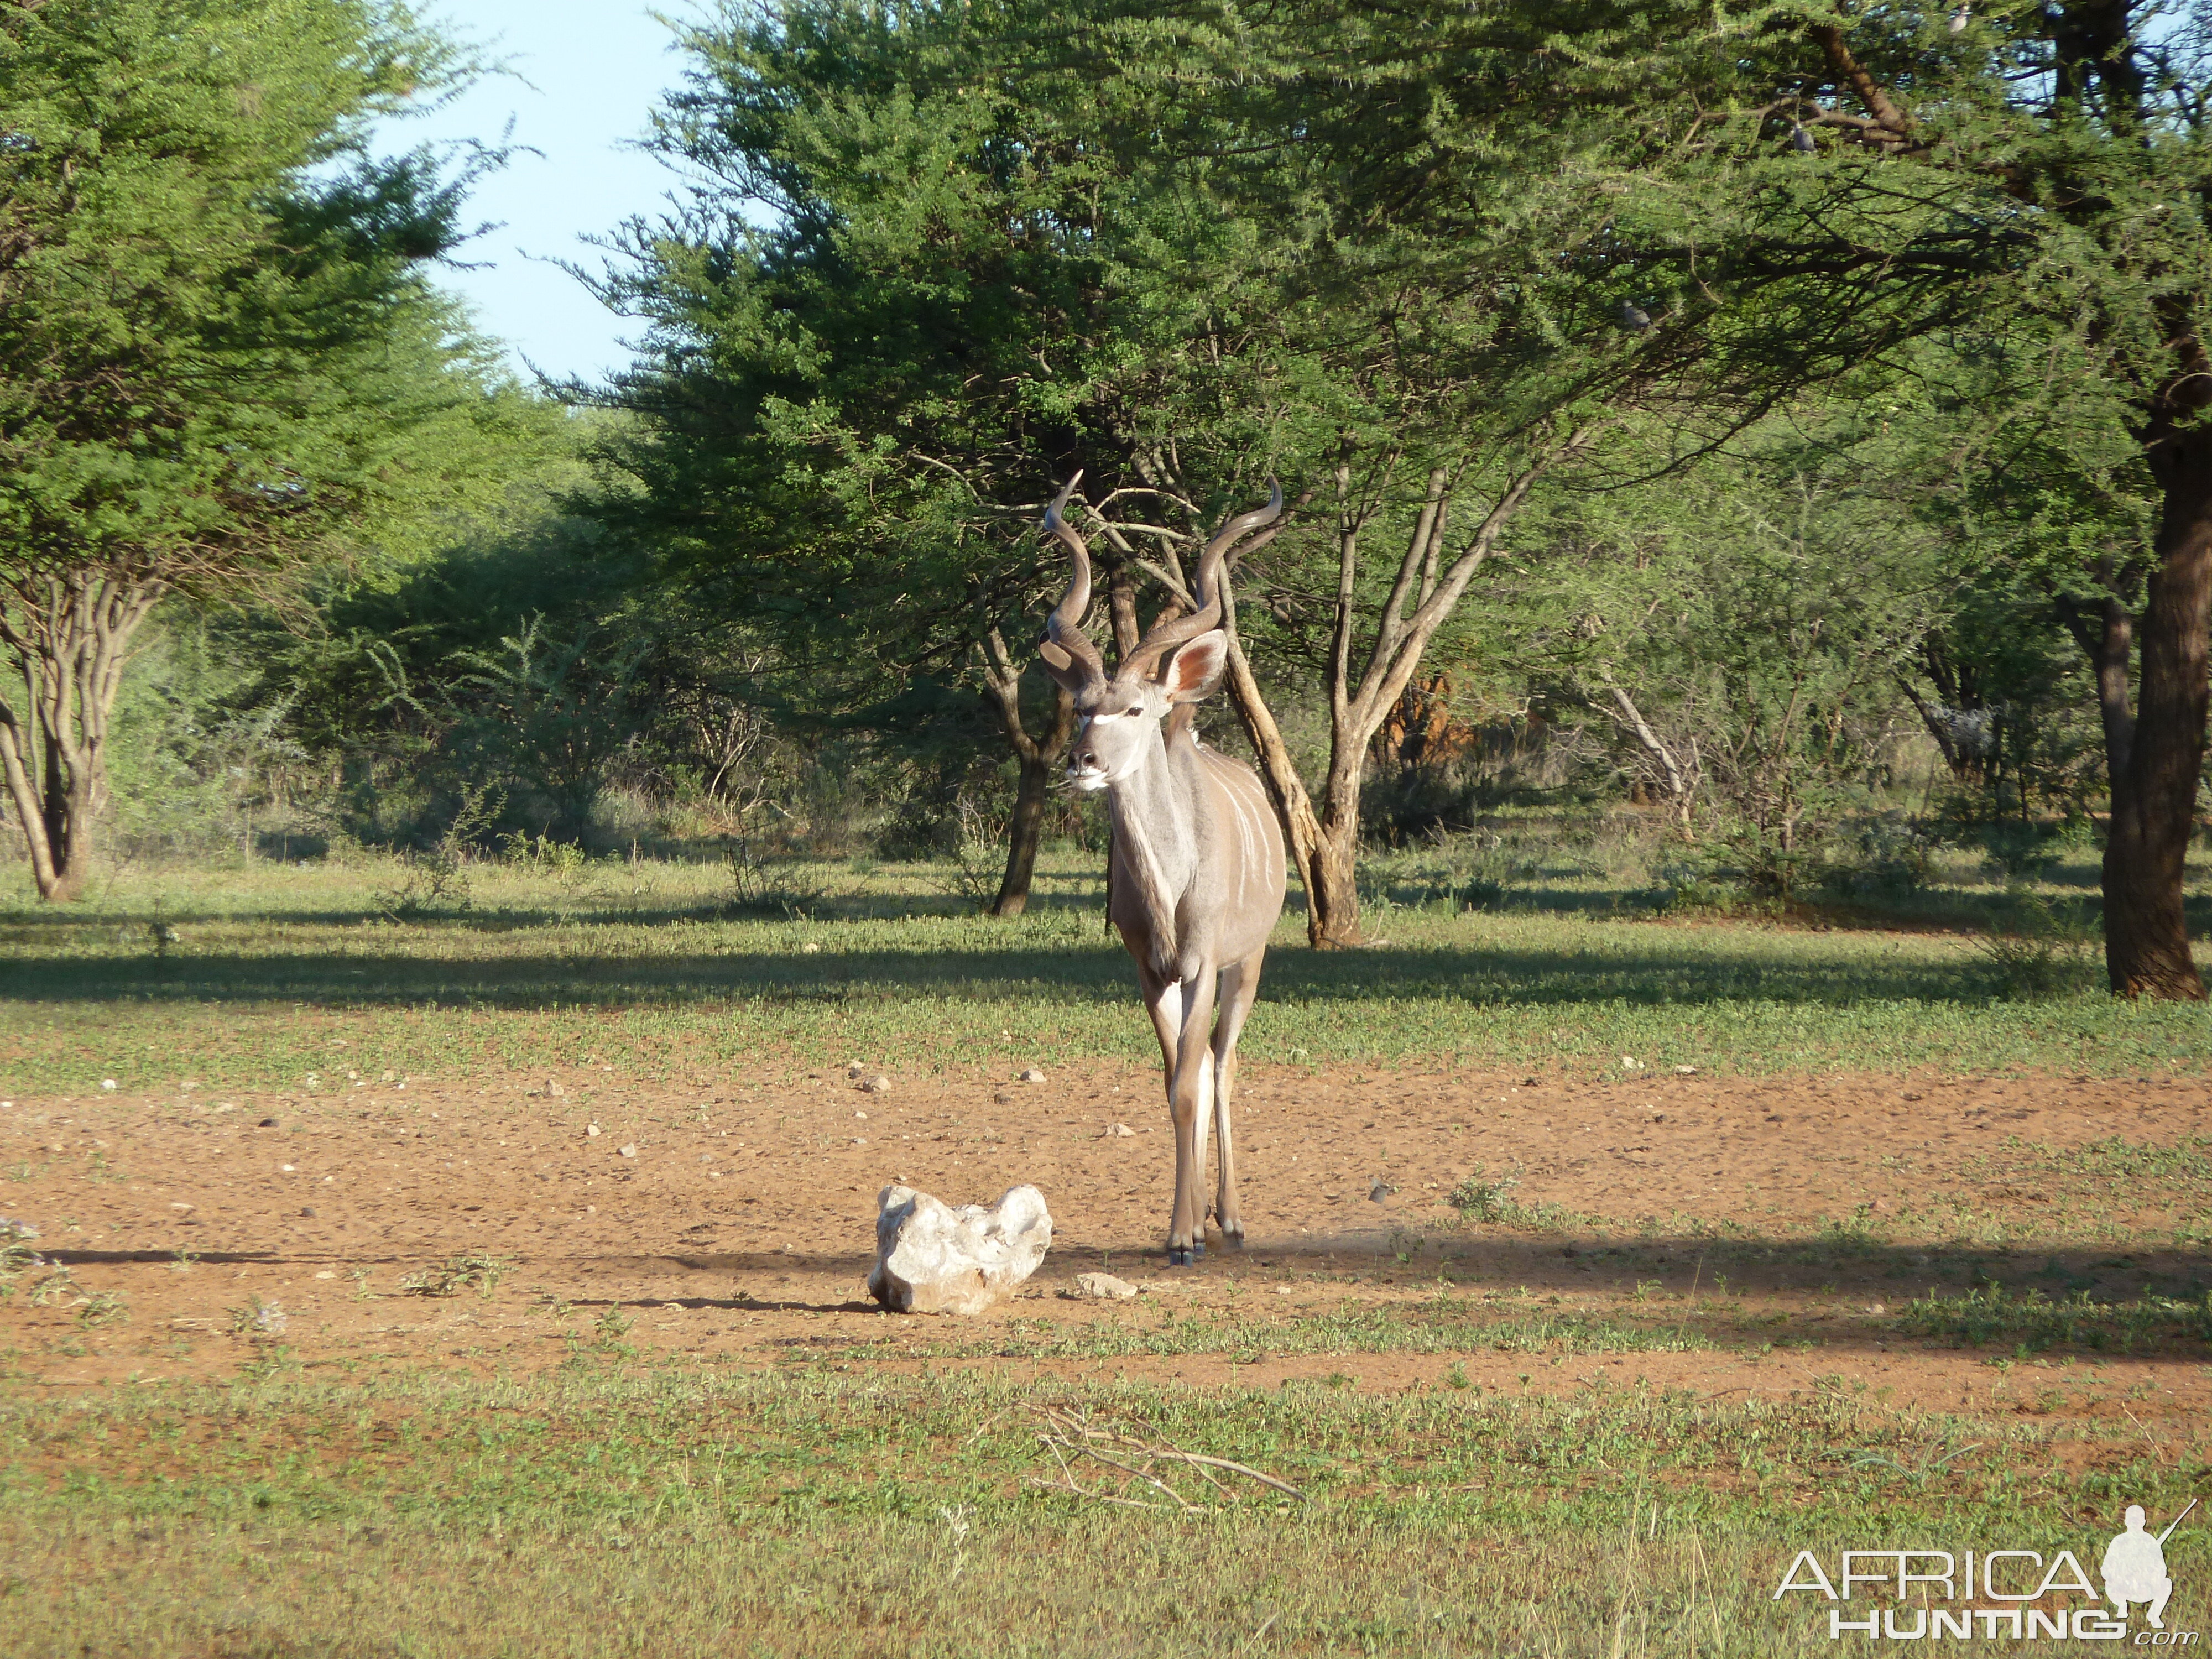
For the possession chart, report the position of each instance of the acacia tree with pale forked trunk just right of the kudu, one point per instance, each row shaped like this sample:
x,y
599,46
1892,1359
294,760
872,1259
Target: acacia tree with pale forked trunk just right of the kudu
x,y
1415,377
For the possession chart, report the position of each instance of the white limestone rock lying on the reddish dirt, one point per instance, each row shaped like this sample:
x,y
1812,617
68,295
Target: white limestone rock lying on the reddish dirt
x,y
935,1260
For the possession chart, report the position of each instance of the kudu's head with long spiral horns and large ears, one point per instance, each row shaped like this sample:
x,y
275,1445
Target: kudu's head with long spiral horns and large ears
x,y
1178,662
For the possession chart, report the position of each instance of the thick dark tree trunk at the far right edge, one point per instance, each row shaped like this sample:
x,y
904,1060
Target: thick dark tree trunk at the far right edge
x,y
2147,939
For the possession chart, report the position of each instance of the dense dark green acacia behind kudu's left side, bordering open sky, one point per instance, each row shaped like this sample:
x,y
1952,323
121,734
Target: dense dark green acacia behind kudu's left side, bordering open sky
x,y
855,415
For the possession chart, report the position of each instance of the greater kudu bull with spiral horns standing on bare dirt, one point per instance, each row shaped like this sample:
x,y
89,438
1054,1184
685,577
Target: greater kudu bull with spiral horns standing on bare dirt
x,y
1198,862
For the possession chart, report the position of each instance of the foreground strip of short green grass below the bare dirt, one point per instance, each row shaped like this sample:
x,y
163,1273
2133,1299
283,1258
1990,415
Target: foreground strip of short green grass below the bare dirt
x,y
671,1512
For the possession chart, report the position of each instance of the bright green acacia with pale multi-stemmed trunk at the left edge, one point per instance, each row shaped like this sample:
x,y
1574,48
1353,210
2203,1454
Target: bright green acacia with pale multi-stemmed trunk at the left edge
x,y
216,348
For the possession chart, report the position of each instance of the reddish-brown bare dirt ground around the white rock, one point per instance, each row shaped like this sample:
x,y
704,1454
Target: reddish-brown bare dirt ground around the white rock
x,y
735,1220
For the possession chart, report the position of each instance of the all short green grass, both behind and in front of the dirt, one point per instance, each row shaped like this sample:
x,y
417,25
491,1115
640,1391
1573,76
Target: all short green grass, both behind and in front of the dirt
x,y
842,1496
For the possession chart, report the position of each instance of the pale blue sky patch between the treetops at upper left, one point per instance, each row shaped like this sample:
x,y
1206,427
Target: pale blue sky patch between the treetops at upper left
x,y
585,76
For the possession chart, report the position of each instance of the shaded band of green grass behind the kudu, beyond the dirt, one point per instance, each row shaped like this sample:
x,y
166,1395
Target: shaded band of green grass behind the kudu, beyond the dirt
x,y
647,966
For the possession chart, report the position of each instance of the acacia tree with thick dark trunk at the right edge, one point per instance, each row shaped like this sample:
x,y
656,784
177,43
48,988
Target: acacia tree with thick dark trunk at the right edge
x,y
2078,134
